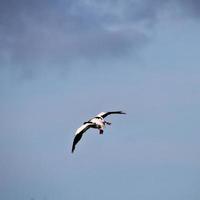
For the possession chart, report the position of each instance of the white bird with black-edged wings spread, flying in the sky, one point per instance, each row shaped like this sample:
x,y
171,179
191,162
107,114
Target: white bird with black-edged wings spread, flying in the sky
x,y
97,122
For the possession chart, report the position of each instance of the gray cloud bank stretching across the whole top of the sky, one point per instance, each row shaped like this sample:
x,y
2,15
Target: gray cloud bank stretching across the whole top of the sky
x,y
42,31
